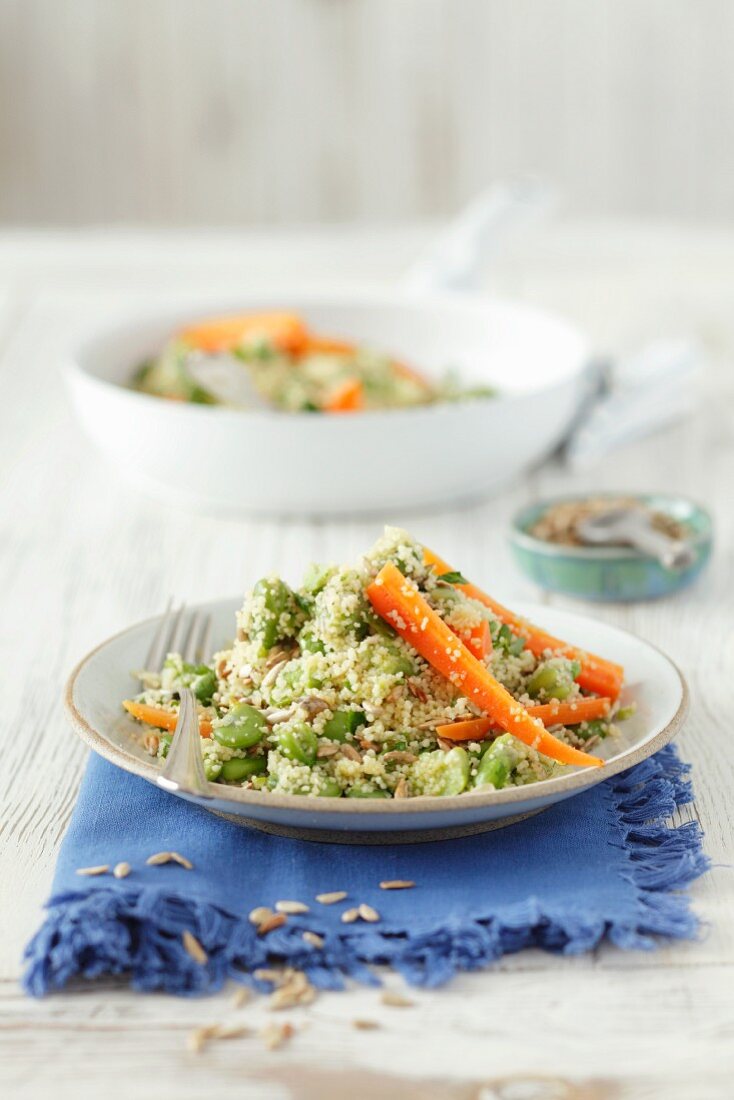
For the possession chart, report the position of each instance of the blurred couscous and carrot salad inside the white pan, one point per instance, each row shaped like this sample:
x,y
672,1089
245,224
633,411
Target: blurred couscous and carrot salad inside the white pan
x,y
282,364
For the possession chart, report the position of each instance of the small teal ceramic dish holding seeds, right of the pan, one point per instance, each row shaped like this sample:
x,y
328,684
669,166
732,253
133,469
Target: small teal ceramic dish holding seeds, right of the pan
x,y
610,574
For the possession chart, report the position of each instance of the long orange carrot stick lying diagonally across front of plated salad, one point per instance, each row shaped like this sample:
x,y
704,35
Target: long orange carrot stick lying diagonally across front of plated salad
x,y
399,602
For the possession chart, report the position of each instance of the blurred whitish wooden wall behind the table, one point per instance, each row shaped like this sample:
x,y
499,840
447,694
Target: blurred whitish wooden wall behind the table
x,y
242,112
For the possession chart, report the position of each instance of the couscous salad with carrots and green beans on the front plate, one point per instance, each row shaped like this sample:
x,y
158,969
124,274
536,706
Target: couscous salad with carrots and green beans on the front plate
x,y
391,678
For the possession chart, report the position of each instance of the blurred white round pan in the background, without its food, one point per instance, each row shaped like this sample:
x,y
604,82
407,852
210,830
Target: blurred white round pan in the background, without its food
x,y
278,464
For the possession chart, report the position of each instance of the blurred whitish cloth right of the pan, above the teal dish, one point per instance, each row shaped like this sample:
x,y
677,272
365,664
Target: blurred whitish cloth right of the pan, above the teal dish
x,y
634,397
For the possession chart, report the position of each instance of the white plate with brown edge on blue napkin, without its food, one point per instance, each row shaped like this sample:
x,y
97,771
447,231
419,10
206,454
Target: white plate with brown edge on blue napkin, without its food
x,y
103,679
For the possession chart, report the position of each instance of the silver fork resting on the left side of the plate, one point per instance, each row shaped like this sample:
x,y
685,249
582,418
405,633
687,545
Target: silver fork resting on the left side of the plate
x,y
189,635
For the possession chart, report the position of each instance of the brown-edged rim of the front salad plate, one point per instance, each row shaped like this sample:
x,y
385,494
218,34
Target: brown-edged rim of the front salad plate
x,y
421,805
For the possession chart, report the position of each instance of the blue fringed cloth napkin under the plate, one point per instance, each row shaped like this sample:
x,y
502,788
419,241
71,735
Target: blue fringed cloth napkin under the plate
x,y
600,865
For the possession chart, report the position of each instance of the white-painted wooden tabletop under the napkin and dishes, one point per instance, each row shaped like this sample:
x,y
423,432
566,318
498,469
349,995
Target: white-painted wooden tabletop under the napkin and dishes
x,y
81,556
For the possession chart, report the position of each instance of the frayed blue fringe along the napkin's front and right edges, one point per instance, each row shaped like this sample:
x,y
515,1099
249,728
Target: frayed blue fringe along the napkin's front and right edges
x,y
140,932
